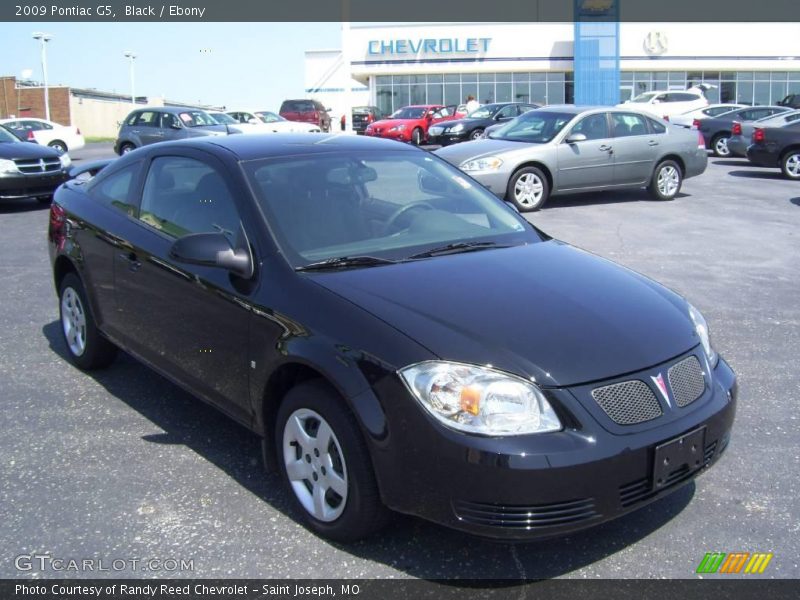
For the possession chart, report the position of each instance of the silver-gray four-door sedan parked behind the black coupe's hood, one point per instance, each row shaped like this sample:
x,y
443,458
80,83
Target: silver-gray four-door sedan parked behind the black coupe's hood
x,y
566,149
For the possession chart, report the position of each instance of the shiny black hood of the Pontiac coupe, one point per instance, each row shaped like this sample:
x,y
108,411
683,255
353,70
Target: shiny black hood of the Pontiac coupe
x,y
545,310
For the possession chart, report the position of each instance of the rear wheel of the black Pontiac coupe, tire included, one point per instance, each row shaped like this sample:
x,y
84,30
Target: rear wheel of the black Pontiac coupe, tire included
x,y
86,347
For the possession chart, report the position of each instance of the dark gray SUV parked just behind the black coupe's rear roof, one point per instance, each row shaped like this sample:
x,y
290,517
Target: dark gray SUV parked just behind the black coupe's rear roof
x,y
150,125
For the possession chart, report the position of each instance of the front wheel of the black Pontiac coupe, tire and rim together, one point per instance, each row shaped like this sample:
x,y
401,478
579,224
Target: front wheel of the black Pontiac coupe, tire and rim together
x,y
325,464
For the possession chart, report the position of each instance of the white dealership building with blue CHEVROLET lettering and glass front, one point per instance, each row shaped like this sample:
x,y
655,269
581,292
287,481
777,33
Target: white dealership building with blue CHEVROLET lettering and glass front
x,y
391,66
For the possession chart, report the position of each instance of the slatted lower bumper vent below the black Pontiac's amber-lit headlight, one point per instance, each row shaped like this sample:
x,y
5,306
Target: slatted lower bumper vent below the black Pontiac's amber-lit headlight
x,y
525,517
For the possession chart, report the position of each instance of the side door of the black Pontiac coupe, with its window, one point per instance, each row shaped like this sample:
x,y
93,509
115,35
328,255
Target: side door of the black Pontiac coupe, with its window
x,y
190,321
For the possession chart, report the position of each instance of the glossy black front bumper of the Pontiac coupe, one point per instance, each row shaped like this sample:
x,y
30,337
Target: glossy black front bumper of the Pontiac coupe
x,y
548,484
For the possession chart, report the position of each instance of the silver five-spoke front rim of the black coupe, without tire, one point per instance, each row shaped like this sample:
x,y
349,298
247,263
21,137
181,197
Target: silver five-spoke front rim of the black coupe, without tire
x,y
315,465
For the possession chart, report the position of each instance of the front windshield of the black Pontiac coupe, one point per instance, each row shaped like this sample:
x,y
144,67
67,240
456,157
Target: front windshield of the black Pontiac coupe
x,y
387,205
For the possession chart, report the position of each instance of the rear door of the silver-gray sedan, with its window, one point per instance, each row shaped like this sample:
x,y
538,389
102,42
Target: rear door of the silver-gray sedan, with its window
x,y
635,148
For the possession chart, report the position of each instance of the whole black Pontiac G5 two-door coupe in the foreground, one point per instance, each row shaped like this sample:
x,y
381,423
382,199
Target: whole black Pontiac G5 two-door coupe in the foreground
x,y
398,336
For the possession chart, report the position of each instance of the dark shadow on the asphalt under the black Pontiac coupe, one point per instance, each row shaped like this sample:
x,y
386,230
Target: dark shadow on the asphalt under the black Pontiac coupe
x,y
415,547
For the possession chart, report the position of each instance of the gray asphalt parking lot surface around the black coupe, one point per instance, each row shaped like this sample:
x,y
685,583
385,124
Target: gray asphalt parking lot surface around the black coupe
x,y
122,464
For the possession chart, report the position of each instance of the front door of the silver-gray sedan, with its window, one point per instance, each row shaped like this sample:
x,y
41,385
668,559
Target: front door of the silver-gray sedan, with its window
x,y
590,163
